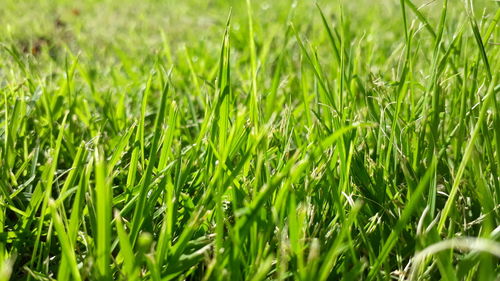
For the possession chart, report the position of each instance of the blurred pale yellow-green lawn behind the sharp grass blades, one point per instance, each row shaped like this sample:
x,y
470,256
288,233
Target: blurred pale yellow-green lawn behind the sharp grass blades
x,y
130,33
